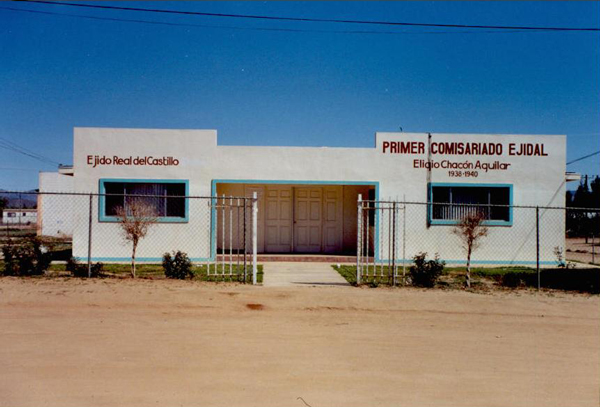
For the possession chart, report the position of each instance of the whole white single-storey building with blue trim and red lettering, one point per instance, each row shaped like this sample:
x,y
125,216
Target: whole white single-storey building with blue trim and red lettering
x,y
308,195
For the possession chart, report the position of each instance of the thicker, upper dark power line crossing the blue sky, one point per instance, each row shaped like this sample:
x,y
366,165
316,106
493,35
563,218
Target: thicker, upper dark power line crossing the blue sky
x,y
316,20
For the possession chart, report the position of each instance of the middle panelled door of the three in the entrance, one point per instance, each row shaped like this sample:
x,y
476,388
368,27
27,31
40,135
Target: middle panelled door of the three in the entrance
x,y
308,219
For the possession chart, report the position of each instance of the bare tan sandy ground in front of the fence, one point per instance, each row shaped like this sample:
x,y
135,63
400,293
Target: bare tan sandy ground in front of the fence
x,y
170,343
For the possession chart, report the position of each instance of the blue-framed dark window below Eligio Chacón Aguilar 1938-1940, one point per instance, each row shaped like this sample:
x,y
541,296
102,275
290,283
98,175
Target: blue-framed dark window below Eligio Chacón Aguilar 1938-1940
x,y
452,202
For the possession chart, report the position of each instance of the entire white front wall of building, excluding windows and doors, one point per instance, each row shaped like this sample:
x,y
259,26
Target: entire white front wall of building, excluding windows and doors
x,y
535,180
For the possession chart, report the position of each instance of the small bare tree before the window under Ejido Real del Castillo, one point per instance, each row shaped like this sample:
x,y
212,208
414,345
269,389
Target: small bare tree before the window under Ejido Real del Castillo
x,y
135,220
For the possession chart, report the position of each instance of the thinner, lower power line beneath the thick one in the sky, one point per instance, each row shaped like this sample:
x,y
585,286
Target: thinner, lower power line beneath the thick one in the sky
x,y
257,28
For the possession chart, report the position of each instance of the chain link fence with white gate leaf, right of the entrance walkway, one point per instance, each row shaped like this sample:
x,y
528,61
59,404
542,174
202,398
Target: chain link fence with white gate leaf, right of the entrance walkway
x,y
391,233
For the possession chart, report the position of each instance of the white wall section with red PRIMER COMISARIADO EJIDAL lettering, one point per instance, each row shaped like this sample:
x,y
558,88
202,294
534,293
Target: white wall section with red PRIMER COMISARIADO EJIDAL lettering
x,y
535,181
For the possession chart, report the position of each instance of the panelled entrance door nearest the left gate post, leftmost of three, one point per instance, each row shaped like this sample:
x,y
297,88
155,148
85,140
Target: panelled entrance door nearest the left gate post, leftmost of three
x,y
278,219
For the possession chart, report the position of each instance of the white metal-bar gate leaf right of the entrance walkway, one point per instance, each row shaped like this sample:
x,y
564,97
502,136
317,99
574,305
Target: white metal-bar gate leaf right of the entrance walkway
x,y
381,246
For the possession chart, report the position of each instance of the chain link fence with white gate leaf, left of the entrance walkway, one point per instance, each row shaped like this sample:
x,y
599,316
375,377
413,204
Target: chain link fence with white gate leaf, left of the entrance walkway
x,y
216,232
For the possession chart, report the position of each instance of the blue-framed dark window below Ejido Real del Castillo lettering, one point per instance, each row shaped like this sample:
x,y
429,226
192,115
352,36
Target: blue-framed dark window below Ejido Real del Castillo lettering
x,y
167,198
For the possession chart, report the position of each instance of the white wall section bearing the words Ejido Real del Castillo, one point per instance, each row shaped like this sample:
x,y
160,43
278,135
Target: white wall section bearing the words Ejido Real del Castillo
x,y
191,147
